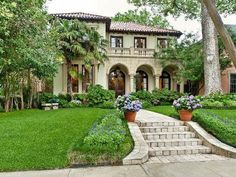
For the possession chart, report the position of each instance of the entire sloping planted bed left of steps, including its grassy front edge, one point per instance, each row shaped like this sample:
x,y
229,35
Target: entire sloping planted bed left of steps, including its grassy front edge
x,y
108,142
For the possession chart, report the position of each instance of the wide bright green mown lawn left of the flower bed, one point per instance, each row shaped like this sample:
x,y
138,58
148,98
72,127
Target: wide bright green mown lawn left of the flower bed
x,y
36,139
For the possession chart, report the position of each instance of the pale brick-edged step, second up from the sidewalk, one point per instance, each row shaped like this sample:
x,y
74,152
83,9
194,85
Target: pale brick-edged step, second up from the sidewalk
x,y
174,142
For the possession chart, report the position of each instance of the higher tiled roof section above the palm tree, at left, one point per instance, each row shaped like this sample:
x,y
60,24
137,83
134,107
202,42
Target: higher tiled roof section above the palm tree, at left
x,y
82,16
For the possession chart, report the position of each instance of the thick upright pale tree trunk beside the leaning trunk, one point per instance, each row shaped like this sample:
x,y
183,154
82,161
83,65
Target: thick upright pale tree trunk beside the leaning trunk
x,y
211,54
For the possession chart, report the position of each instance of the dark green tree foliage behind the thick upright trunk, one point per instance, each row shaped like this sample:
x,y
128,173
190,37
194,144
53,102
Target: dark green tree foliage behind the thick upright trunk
x,y
189,53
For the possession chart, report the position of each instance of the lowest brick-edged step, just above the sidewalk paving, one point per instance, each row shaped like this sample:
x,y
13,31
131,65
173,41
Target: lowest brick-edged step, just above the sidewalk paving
x,y
180,150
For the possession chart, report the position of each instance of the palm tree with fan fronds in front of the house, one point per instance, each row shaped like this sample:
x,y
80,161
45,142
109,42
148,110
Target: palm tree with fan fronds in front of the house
x,y
78,41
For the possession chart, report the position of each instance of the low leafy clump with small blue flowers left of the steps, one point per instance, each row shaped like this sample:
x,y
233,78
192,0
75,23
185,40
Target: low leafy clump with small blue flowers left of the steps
x,y
107,135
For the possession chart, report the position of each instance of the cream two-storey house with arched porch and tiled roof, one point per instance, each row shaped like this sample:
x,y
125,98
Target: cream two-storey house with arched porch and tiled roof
x,y
131,65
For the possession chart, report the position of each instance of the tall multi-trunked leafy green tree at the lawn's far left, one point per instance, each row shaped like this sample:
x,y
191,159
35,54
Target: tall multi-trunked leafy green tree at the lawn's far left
x,y
27,49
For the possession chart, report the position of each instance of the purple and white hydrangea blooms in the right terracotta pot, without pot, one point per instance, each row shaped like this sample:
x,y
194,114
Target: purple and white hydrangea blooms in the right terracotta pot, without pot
x,y
187,103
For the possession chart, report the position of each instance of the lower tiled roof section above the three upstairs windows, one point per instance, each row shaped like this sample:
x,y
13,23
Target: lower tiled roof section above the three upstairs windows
x,y
137,28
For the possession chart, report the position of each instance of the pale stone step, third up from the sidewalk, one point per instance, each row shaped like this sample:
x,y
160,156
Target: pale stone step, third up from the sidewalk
x,y
168,135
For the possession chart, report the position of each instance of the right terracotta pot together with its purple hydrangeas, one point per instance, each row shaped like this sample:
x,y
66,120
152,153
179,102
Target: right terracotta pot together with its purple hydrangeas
x,y
185,106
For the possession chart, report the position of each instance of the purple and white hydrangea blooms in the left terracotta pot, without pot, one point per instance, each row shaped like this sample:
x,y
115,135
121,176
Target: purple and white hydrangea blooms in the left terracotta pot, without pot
x,y
127,103
